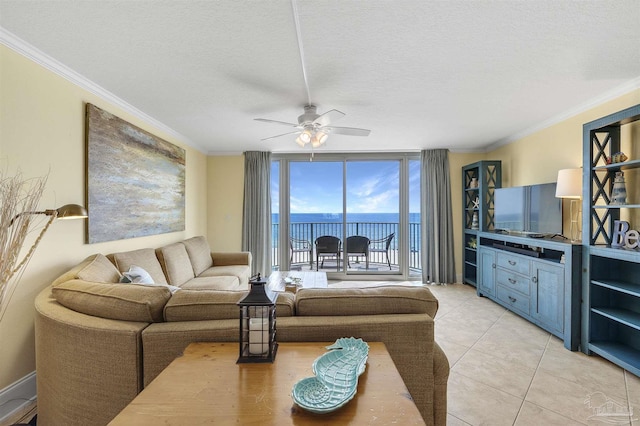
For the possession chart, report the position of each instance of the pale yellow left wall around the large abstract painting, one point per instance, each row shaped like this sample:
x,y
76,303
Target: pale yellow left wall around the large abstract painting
x,y
42,130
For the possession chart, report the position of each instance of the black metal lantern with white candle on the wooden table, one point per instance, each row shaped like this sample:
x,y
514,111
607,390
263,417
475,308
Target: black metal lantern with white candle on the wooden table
x,y
258,323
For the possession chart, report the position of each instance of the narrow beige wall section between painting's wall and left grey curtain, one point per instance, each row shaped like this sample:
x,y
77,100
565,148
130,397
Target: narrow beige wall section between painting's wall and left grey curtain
x,y
225,206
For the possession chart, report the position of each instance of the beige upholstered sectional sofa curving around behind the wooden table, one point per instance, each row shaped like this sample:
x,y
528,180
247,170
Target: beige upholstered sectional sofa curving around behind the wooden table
x,y
99,342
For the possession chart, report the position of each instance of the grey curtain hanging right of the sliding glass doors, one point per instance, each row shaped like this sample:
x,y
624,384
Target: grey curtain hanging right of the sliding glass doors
x,y
438,260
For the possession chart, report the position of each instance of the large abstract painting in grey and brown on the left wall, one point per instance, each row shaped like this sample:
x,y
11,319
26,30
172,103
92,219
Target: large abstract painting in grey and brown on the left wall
x,y
135,180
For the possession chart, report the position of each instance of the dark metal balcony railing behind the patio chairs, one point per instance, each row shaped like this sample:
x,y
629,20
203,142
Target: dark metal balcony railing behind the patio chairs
x,y
309,231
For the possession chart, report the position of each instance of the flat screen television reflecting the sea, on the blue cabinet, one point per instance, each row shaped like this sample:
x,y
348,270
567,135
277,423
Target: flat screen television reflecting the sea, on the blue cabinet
x,y
531,210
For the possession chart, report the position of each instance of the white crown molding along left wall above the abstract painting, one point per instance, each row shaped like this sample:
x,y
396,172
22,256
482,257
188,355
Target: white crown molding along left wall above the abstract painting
x,y
30,52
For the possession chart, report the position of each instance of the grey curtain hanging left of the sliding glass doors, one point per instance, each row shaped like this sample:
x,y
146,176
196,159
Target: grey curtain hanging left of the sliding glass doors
x,y
256,223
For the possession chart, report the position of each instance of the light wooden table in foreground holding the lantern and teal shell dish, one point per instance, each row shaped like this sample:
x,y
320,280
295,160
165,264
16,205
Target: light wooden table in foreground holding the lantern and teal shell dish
x,y
206,386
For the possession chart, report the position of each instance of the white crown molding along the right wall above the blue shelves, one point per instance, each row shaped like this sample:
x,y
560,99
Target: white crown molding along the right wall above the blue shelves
x,y
616,92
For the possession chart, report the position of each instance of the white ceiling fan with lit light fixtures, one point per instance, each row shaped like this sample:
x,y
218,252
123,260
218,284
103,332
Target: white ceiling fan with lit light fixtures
x,y
314,128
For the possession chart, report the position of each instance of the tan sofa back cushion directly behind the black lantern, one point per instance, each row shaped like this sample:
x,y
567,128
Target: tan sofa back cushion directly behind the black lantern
x,y
200,305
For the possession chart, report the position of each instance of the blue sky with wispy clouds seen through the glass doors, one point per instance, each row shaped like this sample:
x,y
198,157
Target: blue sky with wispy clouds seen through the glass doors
x,y
372,186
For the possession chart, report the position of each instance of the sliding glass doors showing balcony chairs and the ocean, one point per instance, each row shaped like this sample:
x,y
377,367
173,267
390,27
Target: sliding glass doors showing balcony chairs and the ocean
x,y
344,215
